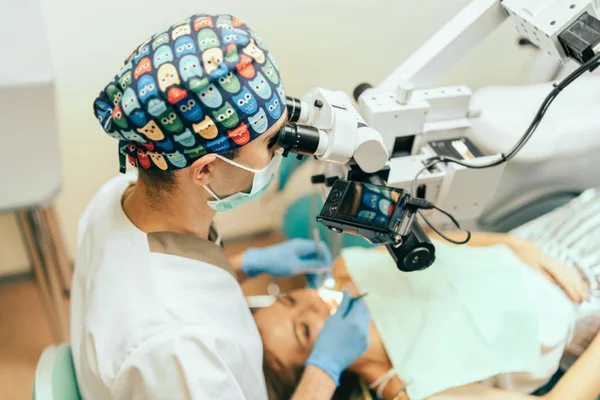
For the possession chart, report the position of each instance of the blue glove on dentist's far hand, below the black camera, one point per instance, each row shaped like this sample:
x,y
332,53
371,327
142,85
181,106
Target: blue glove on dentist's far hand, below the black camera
x,y
294,257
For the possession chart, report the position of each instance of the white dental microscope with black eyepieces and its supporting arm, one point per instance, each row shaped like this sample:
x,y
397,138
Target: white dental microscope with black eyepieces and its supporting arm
x,y
415,137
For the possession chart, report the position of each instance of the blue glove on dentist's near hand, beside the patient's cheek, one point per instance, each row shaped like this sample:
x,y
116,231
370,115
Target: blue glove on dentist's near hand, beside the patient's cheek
x,y
343,339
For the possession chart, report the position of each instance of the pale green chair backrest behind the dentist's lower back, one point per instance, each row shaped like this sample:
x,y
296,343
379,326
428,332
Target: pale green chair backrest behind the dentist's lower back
x,y
55,375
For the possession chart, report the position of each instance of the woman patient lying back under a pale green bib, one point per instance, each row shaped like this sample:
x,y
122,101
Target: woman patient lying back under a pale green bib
x,y
491,321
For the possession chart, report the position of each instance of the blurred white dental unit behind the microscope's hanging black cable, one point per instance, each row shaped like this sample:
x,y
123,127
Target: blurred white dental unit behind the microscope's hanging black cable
x,y
560,160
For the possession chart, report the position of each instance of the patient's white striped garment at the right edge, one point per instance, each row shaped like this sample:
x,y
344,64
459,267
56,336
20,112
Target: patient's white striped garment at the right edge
x,y
572,235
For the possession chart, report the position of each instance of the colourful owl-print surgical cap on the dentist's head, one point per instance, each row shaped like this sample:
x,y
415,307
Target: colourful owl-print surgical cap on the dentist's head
x,y
205,85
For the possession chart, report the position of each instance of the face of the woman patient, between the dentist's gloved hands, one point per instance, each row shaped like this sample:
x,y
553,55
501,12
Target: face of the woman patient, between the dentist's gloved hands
x,y
290,327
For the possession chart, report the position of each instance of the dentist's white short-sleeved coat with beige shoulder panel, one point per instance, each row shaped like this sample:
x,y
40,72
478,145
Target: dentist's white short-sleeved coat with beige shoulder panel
x,y
151,320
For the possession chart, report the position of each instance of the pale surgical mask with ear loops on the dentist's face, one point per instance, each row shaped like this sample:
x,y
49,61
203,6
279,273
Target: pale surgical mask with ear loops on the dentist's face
x,y
260,183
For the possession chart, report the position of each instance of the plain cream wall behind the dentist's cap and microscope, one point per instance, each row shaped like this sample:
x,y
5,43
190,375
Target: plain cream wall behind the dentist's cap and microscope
x,y
336,44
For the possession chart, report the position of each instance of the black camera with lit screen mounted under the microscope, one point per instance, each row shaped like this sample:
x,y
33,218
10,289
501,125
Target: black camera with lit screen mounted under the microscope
x,y
382,215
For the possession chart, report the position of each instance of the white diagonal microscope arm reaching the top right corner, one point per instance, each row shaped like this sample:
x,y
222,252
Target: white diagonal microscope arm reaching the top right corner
x,y
540,21
